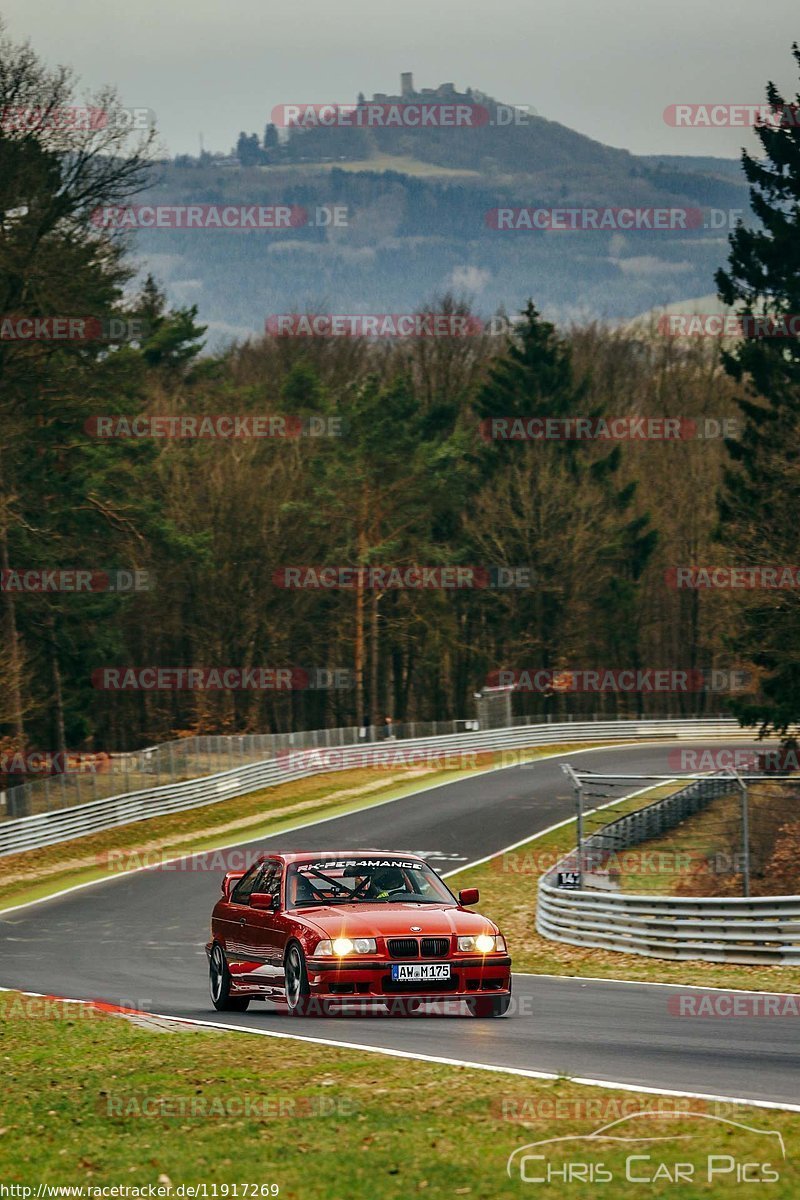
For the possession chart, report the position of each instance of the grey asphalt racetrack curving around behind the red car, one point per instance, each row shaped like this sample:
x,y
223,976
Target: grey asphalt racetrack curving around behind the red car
x,y
139,940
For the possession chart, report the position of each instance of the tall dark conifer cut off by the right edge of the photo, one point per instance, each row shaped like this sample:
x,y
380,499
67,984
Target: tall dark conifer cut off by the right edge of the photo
x,y
761,495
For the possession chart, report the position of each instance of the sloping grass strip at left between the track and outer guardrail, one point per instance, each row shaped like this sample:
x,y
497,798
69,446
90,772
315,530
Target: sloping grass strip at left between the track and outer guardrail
x,y
40,873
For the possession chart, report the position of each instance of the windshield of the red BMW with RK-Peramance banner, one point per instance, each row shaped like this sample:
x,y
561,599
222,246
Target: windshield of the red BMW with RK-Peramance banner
x,y
365,881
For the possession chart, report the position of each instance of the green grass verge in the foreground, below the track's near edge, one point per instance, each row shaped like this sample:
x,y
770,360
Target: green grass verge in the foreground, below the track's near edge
x,y
95,1101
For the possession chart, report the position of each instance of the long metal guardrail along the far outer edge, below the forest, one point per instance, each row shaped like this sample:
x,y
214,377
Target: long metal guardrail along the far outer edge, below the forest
x,y
45,829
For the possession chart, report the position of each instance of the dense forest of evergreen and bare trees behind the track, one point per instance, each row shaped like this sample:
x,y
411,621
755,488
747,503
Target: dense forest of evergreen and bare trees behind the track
x,y
410,481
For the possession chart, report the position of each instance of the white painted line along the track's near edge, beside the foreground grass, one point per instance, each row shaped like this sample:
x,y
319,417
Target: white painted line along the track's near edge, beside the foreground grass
x,y
525,1072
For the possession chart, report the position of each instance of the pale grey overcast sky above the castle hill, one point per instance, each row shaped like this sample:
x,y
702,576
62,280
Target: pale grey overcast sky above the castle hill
x,y
605,68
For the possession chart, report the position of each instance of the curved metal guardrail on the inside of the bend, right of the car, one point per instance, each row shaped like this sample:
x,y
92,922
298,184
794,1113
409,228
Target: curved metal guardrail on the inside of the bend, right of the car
x,y
753,931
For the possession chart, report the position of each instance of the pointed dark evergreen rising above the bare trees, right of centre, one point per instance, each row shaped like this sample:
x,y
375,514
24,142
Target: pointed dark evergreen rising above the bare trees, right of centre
x,y
554,490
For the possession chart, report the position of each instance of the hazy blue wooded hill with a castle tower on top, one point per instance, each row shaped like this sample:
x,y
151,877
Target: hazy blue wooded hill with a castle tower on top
x,y
418,205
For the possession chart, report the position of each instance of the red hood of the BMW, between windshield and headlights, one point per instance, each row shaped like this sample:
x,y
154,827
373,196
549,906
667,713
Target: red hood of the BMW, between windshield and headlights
x,y
394,921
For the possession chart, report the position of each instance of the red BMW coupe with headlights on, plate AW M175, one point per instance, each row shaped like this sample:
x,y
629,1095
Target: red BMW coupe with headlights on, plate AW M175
x,y
322,931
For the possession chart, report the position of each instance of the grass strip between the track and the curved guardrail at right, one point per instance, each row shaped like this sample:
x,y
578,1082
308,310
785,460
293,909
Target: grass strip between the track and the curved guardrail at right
x,y
509,885
